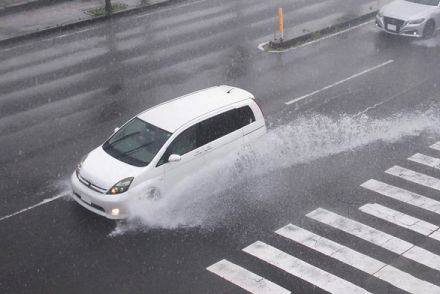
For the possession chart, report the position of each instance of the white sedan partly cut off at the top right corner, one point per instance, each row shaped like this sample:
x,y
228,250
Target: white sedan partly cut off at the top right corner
x,y
415,18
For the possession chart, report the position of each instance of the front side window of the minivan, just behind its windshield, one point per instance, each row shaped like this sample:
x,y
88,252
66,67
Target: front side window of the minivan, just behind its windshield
x,y
184,143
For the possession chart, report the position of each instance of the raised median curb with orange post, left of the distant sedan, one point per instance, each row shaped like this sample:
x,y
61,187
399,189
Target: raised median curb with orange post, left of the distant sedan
x,y
286,44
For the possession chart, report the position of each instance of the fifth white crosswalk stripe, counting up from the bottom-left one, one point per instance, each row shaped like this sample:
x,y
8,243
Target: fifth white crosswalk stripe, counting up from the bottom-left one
x,y
401,219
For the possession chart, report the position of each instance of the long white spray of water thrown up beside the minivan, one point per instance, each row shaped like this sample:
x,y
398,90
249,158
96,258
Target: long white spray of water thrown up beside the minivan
x,y
193,201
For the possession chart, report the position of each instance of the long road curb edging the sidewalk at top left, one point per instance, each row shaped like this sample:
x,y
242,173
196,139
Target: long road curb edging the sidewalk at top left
x,y
85,22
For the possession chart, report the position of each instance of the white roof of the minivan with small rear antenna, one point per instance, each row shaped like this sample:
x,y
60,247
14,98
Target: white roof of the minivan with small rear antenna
x,y
175,113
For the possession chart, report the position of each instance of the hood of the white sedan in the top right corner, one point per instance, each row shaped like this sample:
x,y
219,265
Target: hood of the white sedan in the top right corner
x,y
405,10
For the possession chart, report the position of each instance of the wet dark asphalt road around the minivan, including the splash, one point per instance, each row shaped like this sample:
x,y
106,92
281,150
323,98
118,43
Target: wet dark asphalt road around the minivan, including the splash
x,y
61,96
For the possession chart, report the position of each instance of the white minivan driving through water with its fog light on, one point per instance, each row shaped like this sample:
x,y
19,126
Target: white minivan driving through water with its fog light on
x,y
158,147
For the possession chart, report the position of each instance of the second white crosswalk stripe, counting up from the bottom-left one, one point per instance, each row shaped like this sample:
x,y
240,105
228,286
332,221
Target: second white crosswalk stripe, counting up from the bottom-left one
x,y
302,270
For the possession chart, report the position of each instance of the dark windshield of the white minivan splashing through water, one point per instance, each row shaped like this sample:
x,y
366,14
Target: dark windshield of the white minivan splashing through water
x,y
136,143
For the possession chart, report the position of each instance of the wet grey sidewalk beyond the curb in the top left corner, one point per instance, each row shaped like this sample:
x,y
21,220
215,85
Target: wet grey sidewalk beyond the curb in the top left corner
x,y
26,22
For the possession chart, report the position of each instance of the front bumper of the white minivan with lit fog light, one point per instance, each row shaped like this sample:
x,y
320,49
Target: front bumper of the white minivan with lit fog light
x,y
99,203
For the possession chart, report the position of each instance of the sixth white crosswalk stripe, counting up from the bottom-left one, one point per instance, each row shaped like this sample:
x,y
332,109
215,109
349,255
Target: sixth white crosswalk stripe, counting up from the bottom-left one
x,y
403,195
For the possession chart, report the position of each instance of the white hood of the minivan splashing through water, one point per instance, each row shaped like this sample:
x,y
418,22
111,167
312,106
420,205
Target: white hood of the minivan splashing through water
x,y
104,171
